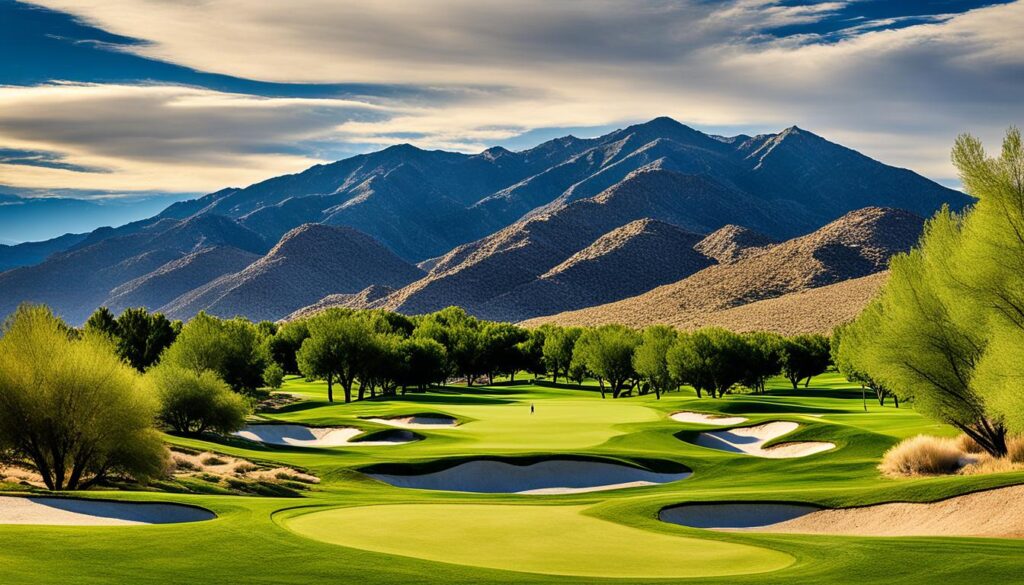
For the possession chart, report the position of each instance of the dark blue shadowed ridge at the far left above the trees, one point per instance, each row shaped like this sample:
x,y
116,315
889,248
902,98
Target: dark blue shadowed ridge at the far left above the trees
x,y
75,282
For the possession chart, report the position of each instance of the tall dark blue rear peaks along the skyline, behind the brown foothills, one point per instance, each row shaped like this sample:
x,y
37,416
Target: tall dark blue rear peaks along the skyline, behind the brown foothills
x,y
421,204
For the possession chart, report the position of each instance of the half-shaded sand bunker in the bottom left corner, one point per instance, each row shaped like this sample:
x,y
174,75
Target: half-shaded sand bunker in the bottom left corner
x,y
66,512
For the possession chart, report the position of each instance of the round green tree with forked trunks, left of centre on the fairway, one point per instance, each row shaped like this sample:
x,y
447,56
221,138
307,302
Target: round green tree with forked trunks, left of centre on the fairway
x,y
335,351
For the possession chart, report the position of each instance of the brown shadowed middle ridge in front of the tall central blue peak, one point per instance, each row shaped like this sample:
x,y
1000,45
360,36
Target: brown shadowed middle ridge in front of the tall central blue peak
x,y
475,276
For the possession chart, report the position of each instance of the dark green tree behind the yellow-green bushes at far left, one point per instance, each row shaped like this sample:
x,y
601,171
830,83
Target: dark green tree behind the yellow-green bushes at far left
x,y
140,337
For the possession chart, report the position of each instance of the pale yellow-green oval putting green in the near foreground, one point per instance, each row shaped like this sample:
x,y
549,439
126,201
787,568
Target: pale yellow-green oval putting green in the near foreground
x,y
552,540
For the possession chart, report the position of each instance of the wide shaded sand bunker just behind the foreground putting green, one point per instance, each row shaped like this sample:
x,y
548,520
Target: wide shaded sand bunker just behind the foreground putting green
x,y
544,478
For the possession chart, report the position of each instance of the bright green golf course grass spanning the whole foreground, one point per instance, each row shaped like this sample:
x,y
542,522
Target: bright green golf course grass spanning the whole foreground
x,y
485,503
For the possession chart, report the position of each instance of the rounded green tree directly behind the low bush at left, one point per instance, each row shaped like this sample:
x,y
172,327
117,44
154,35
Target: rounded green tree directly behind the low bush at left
x,y
233,349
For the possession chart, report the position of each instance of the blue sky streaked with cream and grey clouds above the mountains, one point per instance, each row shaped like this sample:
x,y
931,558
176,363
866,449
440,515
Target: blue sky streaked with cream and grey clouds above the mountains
x,y
133,98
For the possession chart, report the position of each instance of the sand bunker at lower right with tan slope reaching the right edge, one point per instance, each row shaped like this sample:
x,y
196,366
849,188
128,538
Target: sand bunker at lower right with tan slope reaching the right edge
x,y
995,514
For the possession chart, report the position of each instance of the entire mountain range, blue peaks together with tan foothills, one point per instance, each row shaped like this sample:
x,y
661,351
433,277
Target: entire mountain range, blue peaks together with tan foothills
x,y
575,225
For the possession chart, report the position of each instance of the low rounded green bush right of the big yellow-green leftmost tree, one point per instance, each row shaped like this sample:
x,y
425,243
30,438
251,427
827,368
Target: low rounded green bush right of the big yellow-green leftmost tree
x,y
195,403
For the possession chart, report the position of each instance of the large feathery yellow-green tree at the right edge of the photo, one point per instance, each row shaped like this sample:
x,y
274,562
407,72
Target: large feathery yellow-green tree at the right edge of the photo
x,y
948,329
